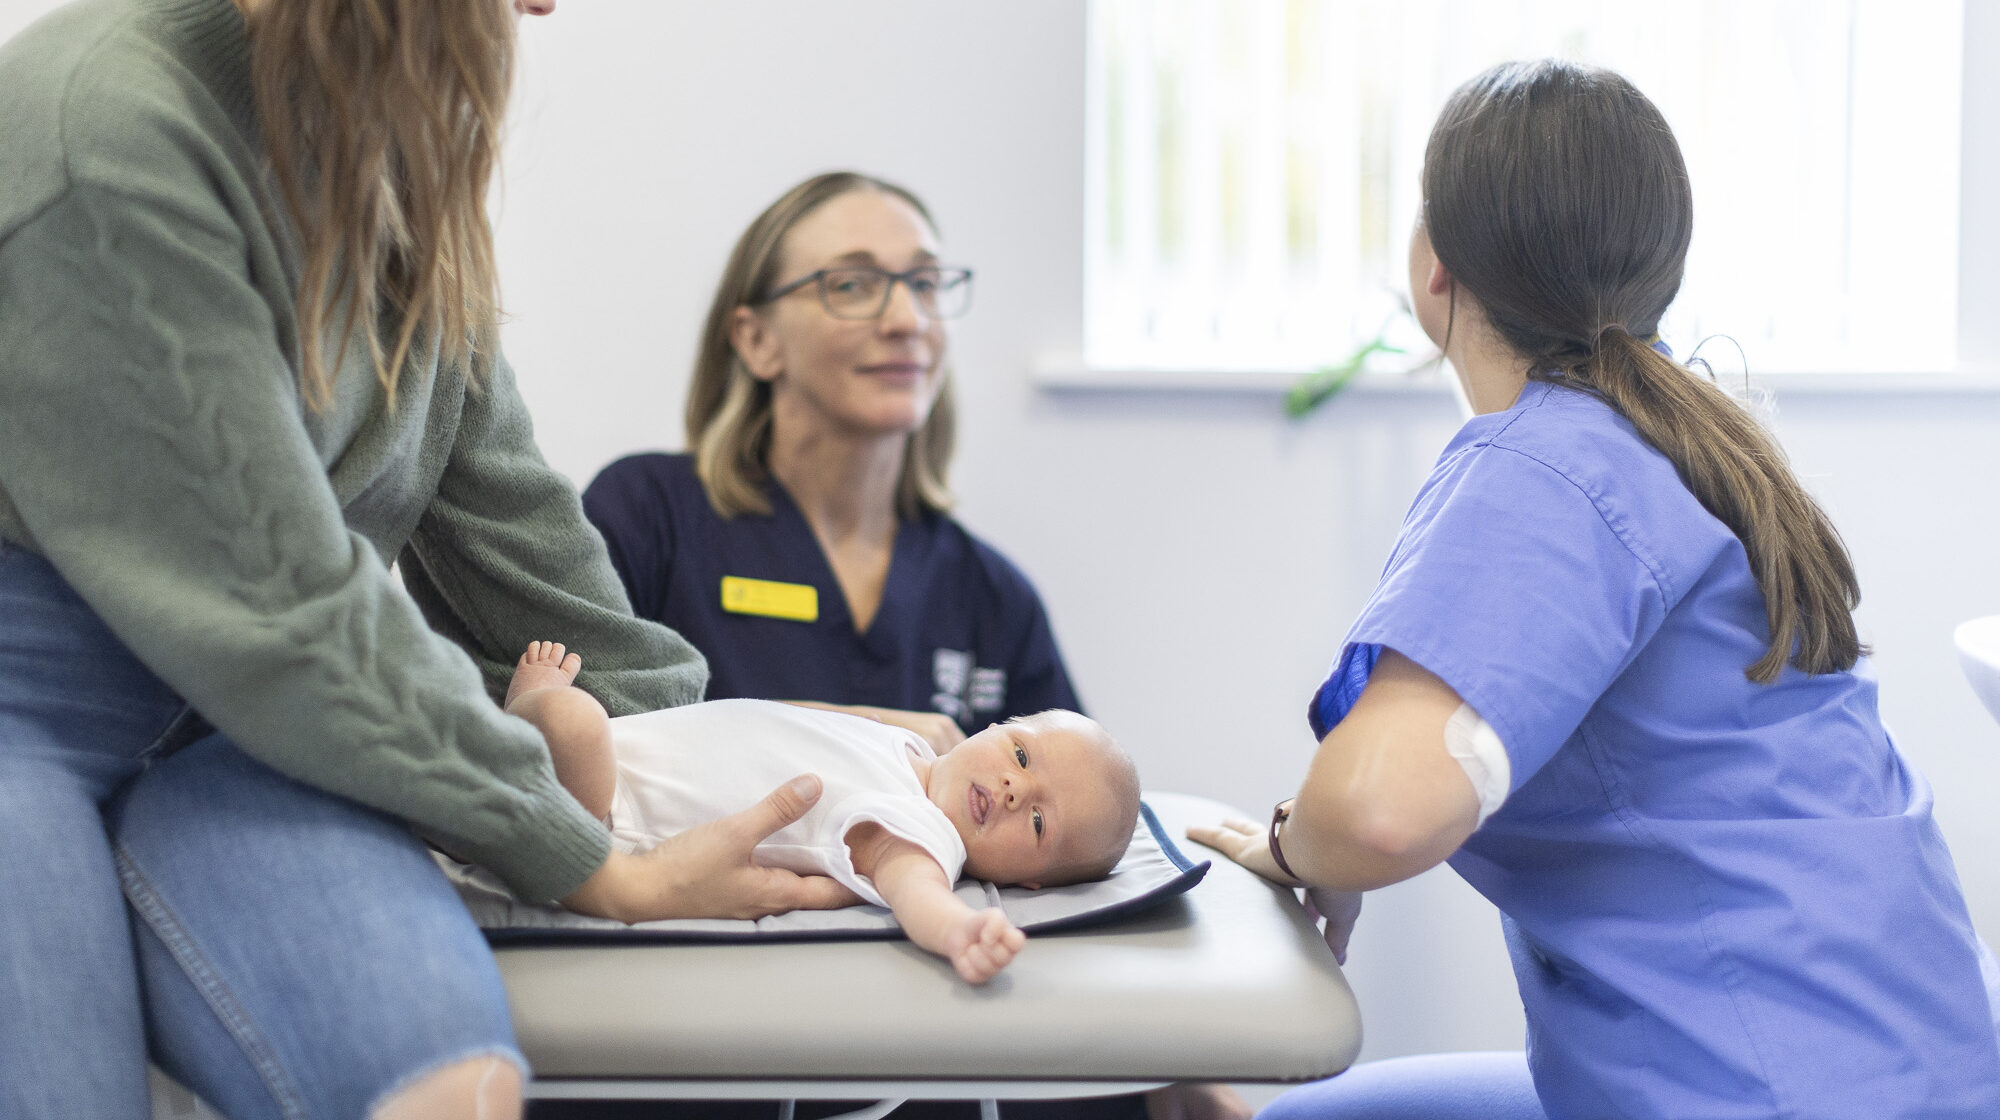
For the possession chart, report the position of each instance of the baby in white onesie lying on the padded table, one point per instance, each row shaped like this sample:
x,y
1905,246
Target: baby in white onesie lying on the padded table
x,y
1039,801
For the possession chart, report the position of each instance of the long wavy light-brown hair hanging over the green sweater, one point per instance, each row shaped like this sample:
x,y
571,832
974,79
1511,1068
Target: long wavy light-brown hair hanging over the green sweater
x,y
383,127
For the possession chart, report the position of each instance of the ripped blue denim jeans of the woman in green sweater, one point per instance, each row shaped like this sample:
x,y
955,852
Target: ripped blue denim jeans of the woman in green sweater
x,y
277,949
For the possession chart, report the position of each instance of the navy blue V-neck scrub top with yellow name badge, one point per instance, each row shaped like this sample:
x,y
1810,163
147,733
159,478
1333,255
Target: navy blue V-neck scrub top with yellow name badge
x,y
961,631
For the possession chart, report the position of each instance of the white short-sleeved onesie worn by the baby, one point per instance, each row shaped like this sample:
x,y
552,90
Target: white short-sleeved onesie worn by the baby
x,y
683,767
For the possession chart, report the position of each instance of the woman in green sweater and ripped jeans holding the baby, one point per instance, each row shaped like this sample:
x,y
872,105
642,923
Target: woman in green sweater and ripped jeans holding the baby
x,y
247,363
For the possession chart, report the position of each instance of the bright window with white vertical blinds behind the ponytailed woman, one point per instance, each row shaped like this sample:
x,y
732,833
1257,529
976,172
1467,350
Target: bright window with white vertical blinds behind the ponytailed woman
x,y
1253,165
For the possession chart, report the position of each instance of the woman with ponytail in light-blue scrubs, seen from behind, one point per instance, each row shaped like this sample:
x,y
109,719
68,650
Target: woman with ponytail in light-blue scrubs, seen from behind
x,y
1611,675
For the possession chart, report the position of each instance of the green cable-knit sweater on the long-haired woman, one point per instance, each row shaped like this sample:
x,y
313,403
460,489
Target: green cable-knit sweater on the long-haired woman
x,y
157,451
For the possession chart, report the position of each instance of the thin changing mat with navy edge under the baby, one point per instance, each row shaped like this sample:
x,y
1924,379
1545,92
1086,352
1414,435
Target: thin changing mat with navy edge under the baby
x,y
1153,871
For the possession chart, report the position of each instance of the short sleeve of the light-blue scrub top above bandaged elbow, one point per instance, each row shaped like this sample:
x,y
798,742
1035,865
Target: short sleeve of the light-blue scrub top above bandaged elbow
x,y
1513,587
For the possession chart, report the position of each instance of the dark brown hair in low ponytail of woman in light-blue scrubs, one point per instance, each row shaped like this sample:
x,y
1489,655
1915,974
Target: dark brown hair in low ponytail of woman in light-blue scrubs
x,y
1557,197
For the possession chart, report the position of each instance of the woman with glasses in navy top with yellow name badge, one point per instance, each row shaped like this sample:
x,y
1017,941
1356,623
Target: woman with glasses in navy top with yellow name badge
x,y
803,543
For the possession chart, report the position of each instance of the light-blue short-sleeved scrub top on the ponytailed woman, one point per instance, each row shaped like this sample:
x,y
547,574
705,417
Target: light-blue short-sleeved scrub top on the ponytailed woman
x,y
1723,899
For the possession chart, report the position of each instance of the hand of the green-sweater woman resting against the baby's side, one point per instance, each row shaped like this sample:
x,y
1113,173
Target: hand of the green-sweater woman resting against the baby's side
x,y
707,871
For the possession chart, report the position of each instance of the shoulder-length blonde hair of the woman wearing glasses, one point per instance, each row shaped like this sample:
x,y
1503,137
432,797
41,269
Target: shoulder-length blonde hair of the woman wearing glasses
x,y
731,413
